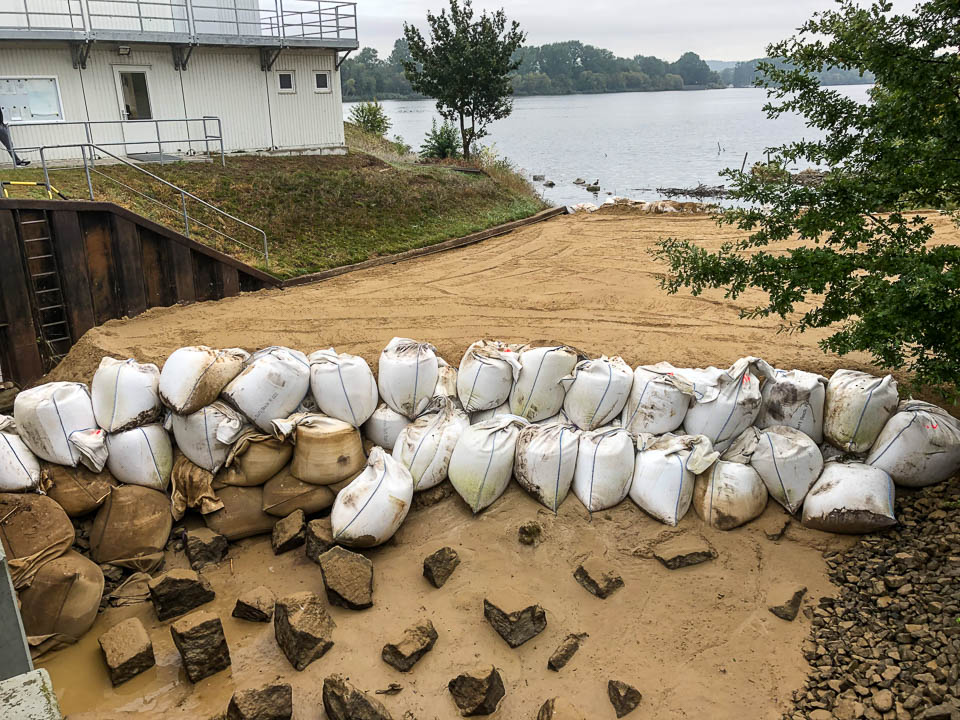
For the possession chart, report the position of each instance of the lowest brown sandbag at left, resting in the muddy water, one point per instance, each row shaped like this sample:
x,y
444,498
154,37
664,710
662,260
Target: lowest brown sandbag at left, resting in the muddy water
x,y
61,603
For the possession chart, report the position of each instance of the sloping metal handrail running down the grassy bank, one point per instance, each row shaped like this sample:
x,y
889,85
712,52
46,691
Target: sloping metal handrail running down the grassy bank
x,y
90,169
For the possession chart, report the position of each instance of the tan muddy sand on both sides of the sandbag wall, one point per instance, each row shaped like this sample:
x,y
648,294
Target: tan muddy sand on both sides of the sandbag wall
x,y
697,642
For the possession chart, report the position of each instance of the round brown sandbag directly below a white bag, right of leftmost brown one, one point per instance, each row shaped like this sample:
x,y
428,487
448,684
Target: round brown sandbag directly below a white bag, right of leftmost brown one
x,y
132,528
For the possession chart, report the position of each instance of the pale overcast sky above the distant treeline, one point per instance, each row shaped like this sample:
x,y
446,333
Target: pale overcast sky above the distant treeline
x,y
714,29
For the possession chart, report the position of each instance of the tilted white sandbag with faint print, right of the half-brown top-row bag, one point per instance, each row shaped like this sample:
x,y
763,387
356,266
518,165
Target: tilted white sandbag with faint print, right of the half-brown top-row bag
x,y
271,386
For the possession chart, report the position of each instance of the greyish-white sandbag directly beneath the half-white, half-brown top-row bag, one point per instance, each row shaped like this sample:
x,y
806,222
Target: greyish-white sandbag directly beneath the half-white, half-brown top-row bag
x,y
206,436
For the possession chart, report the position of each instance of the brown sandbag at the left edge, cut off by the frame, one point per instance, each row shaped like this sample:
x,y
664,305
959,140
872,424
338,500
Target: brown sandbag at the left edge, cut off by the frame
x,y
34,530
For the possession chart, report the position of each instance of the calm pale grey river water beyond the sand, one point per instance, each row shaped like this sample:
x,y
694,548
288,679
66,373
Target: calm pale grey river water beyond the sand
x,y
632,143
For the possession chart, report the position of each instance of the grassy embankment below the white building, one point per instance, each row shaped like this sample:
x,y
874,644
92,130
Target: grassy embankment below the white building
x,y
319,212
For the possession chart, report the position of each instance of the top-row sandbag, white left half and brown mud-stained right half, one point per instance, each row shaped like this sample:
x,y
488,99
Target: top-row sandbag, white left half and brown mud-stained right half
x,y
193,377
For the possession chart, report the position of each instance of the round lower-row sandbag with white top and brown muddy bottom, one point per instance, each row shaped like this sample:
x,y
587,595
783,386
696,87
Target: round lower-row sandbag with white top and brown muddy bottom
x,y
729,495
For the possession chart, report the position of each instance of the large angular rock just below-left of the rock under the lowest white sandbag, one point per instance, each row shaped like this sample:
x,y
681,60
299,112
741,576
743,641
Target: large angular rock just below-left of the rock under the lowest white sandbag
x,y
303,628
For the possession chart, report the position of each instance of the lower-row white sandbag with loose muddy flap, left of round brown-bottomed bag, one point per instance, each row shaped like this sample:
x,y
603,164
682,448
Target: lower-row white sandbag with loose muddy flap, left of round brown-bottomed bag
x,y
664,475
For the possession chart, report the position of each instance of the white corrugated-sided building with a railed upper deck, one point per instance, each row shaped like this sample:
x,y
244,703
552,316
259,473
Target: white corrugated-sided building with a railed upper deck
x,y
138,76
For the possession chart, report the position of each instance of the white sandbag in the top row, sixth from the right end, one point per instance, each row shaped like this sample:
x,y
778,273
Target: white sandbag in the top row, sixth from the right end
x,y
596,391
